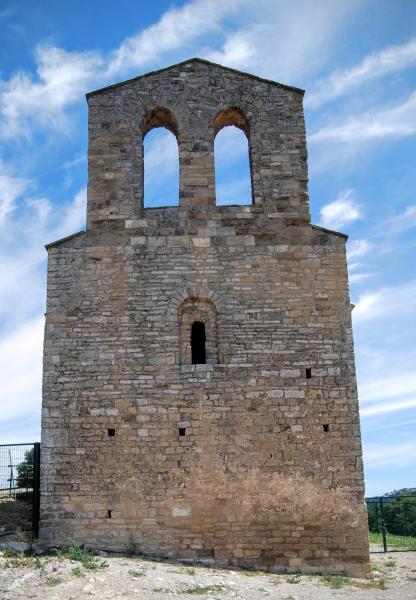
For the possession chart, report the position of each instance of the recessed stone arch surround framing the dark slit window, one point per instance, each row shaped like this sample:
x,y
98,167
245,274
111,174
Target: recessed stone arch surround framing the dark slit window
x,y
202,311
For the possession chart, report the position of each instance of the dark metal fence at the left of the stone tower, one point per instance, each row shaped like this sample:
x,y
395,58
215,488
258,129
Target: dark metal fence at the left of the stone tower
x,y
19,488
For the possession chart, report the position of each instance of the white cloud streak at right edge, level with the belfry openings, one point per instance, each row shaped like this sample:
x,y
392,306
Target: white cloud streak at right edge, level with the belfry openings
x,y
391,122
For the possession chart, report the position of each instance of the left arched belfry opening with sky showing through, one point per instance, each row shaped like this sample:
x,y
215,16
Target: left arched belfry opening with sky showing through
x,y
160,159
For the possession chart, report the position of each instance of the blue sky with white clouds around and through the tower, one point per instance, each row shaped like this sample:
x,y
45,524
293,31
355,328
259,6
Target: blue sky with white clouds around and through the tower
x,y
357,62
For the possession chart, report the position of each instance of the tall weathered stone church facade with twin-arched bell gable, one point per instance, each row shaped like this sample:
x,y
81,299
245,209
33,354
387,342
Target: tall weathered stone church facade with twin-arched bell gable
x,y
199,394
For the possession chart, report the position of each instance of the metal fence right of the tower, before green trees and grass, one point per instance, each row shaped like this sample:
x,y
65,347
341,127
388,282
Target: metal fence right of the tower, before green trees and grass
x,y
392,522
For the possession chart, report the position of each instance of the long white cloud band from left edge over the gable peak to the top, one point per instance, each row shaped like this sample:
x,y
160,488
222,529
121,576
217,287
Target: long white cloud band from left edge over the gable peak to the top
x,y
264,38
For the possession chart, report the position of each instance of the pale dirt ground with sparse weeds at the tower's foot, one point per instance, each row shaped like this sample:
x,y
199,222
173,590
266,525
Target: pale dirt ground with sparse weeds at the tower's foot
x,y
60,578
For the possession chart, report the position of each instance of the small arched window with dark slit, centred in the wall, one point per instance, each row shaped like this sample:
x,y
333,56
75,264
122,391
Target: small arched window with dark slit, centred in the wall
x,y
198,336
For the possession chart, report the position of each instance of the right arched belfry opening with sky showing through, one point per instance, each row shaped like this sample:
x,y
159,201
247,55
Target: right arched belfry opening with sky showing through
x,y
232,158
